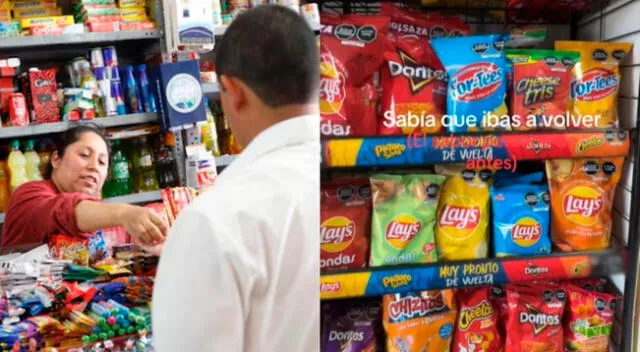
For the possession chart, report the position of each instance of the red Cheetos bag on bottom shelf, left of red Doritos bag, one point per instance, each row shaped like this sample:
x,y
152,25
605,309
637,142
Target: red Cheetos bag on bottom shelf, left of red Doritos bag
x,y
477,323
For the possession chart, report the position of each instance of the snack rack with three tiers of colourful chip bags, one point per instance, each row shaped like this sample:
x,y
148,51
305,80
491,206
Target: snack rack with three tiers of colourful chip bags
x,y
479,187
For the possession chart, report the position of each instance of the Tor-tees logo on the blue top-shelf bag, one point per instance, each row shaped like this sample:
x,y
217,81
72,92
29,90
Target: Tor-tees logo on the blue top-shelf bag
x,y
476,82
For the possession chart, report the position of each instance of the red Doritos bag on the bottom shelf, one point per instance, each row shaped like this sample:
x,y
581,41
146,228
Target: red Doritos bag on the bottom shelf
x,y
535,318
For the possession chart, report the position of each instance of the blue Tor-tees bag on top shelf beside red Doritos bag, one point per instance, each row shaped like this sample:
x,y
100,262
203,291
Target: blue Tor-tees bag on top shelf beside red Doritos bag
x,y
476,66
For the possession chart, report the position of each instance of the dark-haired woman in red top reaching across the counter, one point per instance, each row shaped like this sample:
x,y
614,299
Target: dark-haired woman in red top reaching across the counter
x,y
68,200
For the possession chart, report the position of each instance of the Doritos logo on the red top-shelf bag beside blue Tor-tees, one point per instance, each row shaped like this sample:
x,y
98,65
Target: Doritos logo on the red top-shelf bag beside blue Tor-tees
x,y
419,76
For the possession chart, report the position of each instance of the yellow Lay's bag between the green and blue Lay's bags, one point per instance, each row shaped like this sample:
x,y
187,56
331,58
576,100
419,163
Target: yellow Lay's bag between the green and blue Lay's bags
x,y
463,214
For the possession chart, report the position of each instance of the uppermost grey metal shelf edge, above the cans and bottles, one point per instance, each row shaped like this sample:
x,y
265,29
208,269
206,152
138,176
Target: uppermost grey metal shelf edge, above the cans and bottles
x,y
73,39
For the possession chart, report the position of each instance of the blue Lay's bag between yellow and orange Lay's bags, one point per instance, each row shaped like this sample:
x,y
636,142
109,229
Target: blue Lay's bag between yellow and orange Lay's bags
x,y
520,217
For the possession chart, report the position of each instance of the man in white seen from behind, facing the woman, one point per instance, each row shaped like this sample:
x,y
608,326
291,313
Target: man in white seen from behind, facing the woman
x,y
240,269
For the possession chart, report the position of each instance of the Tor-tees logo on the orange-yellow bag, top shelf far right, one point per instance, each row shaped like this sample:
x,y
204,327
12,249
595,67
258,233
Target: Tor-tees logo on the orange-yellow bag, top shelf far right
x,y
596,84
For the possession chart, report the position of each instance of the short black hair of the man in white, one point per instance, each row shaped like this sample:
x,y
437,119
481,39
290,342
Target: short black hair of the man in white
x,y
273,50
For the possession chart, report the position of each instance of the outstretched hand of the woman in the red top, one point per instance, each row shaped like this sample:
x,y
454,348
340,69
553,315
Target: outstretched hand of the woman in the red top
x,y
144,224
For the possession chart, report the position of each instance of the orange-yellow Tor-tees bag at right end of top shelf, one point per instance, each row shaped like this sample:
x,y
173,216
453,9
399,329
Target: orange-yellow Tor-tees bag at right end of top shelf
x,y
597,81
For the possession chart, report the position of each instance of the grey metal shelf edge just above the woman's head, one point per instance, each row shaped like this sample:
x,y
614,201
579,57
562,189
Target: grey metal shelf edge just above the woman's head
x,y
56,127
